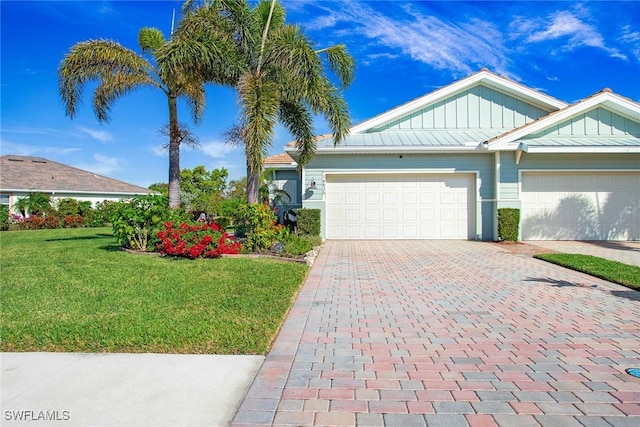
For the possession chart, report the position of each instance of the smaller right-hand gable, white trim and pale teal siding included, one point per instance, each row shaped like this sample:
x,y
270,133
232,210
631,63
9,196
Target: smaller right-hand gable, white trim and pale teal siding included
x,y
606,116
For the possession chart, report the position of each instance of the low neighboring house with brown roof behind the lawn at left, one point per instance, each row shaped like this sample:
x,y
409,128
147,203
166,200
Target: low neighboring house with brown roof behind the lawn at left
x,y
21,175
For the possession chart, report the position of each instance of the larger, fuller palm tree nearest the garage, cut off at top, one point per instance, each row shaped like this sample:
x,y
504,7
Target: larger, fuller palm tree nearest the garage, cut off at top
x,y
279,76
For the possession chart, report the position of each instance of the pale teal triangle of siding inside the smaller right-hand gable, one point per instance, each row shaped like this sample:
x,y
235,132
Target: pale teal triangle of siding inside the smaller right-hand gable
x,y
597,122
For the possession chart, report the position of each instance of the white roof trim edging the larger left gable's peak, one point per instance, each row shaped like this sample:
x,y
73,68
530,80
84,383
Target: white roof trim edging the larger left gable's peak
x,y
492,80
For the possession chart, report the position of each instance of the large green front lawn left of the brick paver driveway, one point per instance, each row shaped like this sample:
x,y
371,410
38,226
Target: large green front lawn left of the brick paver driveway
x,y
73,290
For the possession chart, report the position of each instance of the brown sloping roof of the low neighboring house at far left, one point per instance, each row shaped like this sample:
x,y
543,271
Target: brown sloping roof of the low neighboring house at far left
x,y
26,173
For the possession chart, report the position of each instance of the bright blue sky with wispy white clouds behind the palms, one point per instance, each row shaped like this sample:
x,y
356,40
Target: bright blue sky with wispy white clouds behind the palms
x,y
403,50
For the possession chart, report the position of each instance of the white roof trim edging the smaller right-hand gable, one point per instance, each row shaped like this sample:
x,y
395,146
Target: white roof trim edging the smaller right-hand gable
x,y
605,99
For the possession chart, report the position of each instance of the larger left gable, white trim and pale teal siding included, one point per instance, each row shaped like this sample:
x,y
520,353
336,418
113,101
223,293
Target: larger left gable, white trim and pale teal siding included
x,y
481,101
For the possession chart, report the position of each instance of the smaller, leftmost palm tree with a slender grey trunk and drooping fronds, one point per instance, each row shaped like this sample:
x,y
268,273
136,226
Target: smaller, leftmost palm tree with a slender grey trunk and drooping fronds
x,y
118,71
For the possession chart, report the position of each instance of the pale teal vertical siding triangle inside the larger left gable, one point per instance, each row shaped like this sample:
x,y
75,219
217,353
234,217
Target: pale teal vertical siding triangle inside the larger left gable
x,y
479,107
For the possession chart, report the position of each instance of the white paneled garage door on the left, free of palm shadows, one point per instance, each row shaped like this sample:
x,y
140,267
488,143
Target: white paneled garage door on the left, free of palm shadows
x,y
400,206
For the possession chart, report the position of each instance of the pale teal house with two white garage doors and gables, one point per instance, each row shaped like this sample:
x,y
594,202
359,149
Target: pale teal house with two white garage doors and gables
x,y
440,167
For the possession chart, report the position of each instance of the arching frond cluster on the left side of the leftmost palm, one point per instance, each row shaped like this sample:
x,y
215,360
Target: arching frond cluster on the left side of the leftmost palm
x,y
104,61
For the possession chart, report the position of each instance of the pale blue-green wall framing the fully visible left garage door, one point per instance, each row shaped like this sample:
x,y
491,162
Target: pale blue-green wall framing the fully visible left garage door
x,y
480,164
